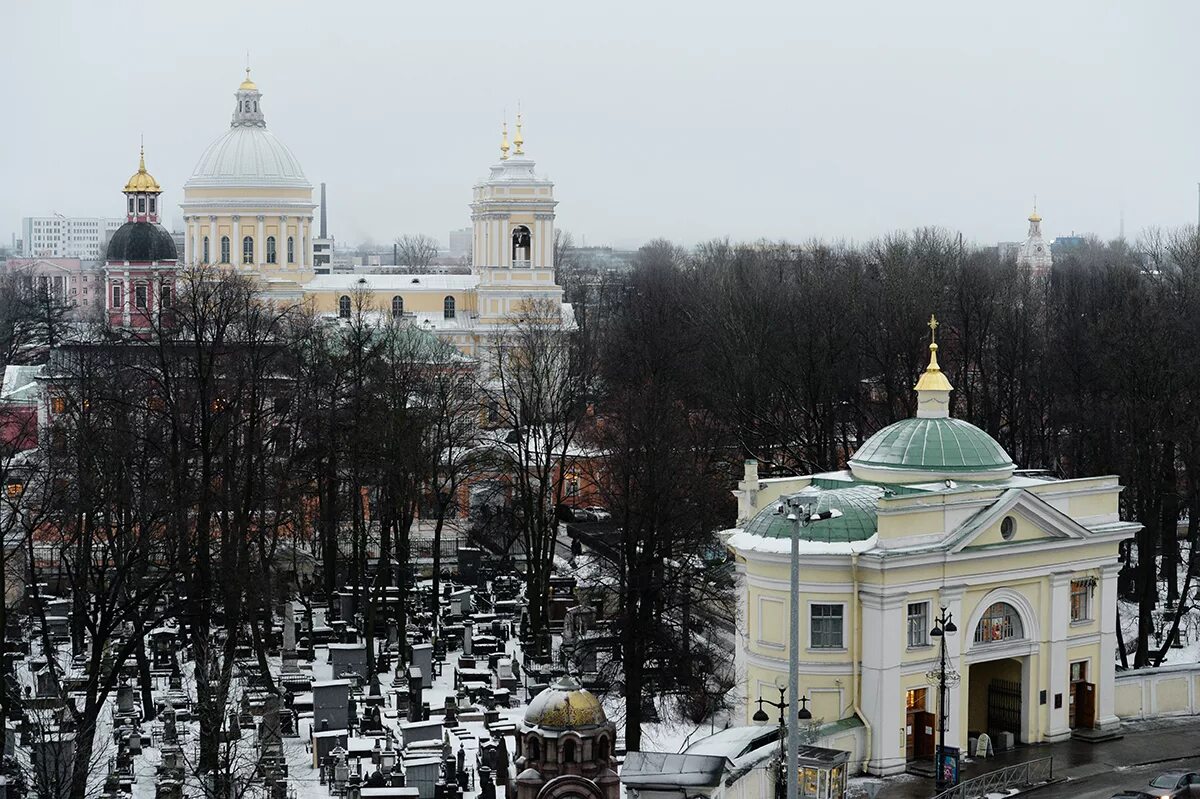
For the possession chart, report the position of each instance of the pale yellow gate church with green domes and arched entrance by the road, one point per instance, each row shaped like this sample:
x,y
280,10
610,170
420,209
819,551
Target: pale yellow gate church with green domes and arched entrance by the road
x,y
934,515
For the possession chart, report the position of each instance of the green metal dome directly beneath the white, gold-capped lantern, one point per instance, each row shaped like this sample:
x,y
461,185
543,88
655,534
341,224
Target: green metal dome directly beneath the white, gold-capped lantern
x,y
943,444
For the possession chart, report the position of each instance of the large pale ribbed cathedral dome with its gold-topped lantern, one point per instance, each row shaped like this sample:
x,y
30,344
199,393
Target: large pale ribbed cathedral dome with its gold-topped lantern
x,y
248,155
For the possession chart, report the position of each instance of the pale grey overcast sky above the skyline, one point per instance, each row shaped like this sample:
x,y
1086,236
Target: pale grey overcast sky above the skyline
x,y
687,121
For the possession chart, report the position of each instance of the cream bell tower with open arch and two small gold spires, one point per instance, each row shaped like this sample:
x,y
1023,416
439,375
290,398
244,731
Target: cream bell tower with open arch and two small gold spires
x,y
513,244
